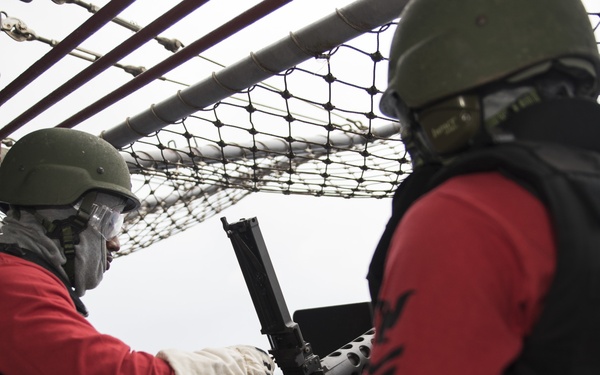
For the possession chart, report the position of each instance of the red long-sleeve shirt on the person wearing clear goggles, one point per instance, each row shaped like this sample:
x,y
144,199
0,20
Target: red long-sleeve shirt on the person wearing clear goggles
x,y
42,333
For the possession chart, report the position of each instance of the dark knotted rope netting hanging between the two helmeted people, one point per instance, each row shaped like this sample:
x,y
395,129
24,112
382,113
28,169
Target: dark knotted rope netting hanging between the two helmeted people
x,y
314,129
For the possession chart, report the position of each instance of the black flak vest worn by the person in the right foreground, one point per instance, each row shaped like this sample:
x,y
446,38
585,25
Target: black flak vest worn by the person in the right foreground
x,y
566,178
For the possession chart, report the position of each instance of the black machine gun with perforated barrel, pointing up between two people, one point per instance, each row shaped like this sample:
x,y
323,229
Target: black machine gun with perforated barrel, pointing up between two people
x,y
292,354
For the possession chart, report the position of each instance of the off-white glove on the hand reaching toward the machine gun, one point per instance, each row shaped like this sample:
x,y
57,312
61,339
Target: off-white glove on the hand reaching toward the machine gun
x,y
232,360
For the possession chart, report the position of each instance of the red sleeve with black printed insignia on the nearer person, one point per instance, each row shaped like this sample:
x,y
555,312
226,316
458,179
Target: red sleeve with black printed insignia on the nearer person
x,y
465,278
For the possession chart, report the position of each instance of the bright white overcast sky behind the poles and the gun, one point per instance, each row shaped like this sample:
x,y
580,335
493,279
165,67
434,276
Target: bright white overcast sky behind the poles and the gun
x,y
188,292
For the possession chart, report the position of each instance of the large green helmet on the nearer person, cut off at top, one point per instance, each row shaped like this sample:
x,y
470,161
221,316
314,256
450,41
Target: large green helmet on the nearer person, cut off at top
x,y
446,47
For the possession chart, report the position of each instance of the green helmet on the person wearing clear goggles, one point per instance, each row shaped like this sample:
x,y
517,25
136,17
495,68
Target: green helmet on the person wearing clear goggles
x,y
54,167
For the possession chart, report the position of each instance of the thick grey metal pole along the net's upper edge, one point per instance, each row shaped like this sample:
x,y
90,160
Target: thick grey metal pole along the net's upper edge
x,y
343,25
